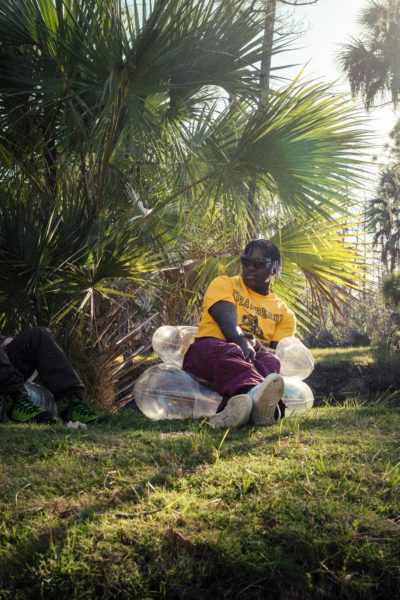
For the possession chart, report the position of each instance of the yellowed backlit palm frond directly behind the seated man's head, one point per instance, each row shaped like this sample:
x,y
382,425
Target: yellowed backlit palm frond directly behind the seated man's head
x,y
317,265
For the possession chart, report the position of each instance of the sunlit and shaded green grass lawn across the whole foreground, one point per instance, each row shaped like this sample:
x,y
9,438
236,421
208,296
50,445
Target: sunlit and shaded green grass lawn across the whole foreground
x,y
135,509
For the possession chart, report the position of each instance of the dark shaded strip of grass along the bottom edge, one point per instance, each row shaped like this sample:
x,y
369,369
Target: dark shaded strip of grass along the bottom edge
x,y
288,563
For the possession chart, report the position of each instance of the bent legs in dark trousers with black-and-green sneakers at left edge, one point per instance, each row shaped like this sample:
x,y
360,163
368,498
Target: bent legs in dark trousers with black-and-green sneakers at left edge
x,y
37,350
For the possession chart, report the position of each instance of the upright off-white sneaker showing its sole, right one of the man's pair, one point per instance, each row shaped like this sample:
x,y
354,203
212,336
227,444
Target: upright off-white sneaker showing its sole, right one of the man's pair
x,y
265,397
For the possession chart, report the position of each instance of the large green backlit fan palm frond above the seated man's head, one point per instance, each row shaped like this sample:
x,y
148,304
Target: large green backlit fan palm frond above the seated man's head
x,y
303,146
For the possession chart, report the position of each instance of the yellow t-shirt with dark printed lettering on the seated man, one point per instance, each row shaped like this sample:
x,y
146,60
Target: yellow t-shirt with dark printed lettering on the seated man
x,y
266,317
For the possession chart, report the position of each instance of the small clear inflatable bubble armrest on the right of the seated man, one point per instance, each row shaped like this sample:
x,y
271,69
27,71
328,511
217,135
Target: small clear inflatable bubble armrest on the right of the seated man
x,y
296,359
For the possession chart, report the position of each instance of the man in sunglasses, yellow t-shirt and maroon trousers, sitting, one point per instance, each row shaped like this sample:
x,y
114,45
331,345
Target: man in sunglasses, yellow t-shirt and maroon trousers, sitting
x,y
242,322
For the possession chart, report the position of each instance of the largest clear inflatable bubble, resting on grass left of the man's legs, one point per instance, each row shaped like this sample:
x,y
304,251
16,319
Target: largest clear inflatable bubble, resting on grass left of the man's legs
x,y
166,392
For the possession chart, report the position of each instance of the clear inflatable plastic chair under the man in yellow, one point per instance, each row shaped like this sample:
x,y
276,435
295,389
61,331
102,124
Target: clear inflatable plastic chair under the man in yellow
x,y
166,392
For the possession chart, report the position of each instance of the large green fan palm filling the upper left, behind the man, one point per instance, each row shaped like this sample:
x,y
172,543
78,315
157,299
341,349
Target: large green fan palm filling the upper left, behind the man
x,y
121,154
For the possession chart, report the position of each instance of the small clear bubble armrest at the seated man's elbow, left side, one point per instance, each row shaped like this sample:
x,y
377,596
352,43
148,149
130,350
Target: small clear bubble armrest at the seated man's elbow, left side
x,y
170,343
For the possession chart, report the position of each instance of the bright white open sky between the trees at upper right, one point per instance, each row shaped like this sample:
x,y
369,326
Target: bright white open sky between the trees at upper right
x,y
328,25
